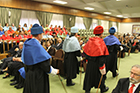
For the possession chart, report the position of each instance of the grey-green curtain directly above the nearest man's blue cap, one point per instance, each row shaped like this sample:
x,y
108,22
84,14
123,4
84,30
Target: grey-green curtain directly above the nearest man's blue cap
x,y
44,17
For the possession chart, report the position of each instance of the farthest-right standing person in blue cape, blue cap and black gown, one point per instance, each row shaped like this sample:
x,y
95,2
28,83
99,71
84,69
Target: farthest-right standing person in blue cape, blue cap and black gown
x,y
113,46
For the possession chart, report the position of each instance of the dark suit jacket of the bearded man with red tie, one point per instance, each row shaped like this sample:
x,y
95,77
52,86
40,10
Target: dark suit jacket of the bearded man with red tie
x,y
123,85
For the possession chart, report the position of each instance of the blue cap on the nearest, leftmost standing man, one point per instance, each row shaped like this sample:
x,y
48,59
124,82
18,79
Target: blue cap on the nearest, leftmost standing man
x,y
36,29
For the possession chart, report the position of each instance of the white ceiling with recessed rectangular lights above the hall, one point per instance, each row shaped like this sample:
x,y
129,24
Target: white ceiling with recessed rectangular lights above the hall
x,y
127,8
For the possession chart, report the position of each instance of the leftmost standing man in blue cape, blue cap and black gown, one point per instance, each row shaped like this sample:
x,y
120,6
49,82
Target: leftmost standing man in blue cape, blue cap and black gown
x,y
37,63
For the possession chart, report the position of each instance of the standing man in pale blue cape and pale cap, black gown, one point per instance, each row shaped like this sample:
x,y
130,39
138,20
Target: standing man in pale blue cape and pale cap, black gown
x,y
72,49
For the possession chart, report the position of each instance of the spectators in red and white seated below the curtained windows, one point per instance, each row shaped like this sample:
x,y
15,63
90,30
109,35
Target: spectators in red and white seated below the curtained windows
x,y
12,29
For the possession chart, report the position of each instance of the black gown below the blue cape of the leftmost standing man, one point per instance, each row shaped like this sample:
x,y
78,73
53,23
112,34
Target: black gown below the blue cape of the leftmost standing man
x,y
37,79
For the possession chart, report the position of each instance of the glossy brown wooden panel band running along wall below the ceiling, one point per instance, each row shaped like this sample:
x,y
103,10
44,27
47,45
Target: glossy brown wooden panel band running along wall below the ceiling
x,y
38,6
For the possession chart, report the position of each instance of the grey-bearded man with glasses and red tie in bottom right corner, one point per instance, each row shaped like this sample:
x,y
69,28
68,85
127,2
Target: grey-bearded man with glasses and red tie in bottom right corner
x,y
131,84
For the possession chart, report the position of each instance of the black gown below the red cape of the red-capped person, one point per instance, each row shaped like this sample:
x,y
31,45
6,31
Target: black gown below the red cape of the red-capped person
x,y
93,75
